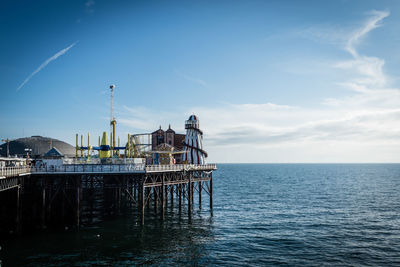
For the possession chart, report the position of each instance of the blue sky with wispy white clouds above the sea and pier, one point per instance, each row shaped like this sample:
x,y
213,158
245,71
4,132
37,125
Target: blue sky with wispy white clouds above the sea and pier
x,y
271,81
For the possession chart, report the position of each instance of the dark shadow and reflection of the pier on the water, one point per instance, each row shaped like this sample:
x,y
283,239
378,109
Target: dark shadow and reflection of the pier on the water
x,y
117,240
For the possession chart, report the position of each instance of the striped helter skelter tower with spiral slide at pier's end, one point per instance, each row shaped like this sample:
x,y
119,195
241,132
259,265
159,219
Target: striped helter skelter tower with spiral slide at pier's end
x,y
193,144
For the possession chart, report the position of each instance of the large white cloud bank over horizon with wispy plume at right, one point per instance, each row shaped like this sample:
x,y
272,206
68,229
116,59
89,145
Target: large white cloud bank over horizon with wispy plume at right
x,y
362,127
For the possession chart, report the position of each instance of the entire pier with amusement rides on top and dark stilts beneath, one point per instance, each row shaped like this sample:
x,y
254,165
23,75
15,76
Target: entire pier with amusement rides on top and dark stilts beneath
x,y
51,187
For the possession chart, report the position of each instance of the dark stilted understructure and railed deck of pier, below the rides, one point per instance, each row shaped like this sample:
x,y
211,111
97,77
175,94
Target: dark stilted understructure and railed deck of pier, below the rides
x,y
45,196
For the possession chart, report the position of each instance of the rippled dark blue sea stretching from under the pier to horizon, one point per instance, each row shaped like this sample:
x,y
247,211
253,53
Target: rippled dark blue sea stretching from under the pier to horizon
x,y
262,215
